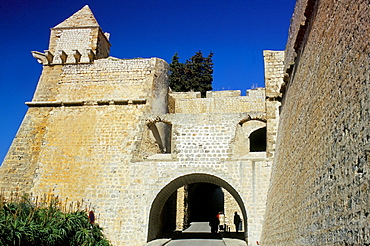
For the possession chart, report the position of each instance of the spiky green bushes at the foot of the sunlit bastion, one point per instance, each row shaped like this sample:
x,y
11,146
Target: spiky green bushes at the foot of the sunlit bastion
x,y
24,223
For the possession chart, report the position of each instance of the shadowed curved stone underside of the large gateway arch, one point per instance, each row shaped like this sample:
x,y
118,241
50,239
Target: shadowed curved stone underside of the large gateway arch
x,y
154,228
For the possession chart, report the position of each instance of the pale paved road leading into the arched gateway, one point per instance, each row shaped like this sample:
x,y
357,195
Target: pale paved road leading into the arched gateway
x,y
198,234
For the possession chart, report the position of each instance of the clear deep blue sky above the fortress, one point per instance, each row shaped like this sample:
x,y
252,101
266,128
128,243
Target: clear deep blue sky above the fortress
x,y
237,31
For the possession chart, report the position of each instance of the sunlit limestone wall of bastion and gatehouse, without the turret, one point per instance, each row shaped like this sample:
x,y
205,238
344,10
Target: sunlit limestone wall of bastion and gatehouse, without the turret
x,y
83,130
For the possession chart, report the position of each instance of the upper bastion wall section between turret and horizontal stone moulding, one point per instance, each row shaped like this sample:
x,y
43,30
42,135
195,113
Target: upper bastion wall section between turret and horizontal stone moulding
x,y
104,81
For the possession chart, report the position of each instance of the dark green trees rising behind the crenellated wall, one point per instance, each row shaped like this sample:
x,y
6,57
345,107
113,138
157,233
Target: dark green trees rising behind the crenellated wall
x,y
193,75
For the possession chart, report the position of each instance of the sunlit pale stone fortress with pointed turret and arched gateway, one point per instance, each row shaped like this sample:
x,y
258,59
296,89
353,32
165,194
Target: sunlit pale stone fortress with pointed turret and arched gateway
x,y
148,161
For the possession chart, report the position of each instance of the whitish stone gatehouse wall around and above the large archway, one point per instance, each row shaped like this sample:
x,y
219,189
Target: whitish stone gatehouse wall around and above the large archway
x,y
204,144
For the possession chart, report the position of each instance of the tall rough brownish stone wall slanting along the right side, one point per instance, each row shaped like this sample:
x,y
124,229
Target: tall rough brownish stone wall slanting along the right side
x,y
320,180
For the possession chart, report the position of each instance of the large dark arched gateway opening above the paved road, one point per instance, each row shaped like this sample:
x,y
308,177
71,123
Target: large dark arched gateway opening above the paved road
x,y
200,187
